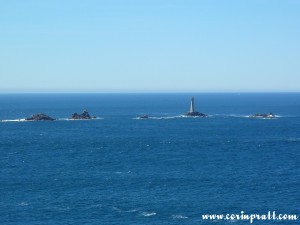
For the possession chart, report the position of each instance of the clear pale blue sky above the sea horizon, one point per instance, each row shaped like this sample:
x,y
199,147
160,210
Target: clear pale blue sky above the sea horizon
x,y
149,45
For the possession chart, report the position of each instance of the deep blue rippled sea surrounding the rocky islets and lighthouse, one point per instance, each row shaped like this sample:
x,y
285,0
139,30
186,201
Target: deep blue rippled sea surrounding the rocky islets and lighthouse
x,y
163,170
